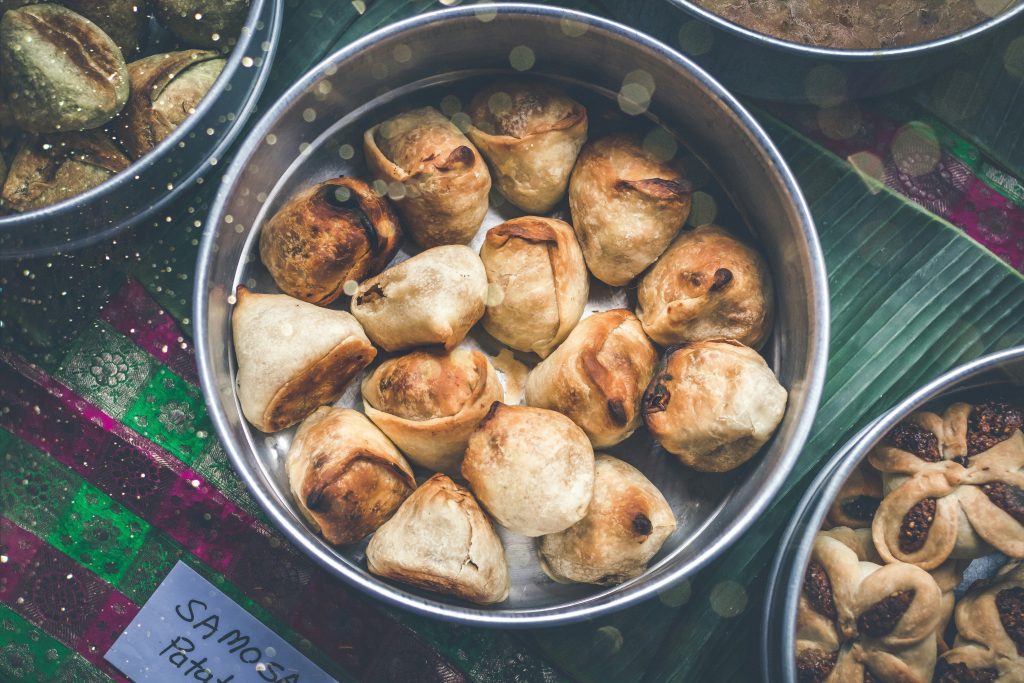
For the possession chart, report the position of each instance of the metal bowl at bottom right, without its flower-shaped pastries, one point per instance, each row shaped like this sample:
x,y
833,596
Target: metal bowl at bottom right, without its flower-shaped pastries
x,y
998,371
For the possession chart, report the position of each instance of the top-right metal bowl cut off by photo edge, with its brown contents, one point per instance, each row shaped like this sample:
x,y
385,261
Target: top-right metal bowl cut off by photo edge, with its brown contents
x,y
829,51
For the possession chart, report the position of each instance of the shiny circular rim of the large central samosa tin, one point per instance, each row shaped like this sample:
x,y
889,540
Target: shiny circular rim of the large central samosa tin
x,y
437,608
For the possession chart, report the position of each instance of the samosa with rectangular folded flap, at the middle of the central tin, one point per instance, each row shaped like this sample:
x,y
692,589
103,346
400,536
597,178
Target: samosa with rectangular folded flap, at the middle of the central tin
x,y
539,283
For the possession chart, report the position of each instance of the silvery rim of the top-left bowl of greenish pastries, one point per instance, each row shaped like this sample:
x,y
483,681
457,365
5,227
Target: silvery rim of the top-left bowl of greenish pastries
x,y
119,183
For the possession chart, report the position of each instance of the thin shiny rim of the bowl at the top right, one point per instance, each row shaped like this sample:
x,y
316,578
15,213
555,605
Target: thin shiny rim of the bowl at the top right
x,y
843,55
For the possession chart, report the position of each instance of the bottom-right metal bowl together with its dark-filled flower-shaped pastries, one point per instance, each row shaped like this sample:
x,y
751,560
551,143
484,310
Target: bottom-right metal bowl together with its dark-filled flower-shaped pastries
x,y
906,561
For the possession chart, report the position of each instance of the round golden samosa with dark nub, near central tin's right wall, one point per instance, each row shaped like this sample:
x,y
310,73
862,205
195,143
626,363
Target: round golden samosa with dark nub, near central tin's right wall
x,y
707,286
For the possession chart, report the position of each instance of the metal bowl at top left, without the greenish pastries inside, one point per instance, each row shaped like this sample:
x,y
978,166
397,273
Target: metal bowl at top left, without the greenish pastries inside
x,y
144,194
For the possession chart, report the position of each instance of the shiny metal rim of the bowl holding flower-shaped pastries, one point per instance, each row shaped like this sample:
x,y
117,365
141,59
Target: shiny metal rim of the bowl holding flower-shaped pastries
x,y
788,568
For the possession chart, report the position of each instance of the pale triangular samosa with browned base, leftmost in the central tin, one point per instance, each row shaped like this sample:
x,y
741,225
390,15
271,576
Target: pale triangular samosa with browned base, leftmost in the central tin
x,y
293,357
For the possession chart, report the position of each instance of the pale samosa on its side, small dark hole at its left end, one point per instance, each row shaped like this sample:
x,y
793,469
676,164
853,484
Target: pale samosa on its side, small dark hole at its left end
x,y
433,298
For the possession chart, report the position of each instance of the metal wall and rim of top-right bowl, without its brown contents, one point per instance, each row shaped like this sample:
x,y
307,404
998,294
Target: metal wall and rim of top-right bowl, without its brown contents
x,y
770,68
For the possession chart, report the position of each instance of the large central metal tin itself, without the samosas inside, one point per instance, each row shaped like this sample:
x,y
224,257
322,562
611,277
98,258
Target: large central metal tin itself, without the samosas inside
x,y
315,133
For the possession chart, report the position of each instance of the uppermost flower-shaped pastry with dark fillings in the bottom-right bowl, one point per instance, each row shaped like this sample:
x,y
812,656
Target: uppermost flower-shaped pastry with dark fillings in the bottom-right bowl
x,y
955,486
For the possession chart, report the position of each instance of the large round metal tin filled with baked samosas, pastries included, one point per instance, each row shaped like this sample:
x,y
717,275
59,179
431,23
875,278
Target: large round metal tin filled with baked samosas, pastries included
x,y
510,315
